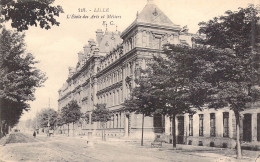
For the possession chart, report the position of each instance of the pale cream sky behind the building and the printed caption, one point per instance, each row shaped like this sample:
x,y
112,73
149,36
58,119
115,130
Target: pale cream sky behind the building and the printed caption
x,y
57,48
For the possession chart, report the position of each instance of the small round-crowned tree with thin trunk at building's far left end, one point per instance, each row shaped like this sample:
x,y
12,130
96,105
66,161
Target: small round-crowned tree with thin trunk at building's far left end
x,y
71,113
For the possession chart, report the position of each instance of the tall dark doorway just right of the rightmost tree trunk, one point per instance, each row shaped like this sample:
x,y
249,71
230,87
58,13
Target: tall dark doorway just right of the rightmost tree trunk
x,y
247,127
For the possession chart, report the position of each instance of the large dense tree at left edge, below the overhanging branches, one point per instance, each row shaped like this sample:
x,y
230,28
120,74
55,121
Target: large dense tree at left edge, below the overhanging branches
x,y
18,78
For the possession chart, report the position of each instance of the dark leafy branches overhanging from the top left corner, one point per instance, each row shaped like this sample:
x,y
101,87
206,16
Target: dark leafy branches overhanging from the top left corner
x,y
24,13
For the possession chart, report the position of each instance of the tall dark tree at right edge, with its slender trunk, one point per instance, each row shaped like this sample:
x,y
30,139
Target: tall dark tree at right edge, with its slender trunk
x,y
236,75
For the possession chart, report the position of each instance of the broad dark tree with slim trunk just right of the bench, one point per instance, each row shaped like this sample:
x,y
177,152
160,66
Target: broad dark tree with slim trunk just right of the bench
x,y
172,85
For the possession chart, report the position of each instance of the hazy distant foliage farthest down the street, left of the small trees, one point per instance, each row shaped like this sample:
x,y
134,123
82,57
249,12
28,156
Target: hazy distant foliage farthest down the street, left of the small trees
x,y
47,116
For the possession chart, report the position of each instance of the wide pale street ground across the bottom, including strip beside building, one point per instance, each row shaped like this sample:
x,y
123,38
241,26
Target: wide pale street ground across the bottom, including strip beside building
x,y
23,147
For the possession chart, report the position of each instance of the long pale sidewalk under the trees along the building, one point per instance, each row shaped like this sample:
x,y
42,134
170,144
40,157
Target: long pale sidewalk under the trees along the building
x,y
218,154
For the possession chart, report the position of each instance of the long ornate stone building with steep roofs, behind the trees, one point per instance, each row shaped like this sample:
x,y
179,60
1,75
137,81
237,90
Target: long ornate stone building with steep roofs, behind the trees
x,y
105,73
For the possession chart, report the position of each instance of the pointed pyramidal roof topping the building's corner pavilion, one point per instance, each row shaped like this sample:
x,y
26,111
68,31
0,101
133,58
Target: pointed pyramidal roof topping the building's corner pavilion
x,y
151,15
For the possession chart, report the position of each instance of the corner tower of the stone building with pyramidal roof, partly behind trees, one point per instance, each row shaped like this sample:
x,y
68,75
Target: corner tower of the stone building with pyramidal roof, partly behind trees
x,y
141,40
